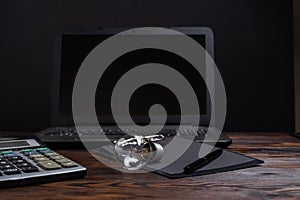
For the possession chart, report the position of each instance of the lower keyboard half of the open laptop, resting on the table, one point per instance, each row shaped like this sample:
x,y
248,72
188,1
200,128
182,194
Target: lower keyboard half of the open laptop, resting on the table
x,y
68,137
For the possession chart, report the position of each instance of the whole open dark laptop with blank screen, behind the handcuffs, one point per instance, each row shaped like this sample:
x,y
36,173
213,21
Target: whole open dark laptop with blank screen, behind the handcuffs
x,y
73,47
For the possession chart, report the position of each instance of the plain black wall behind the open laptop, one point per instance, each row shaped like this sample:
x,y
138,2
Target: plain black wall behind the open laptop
x,y
253,50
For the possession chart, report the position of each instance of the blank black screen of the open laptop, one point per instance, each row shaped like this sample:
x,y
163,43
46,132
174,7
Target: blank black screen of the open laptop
x,y
74,49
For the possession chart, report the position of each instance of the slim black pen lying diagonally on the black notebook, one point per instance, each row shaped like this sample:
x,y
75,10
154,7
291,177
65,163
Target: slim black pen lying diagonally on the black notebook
x,y
190,168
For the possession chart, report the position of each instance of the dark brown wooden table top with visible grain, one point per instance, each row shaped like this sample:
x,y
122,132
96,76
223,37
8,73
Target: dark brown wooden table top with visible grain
x,y
277,178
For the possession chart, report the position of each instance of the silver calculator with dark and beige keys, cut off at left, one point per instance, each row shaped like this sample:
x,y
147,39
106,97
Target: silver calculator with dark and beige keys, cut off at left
x,y
27,161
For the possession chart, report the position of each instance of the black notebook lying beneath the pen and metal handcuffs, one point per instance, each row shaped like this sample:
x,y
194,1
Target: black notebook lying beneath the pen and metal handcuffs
x,y
227,161
